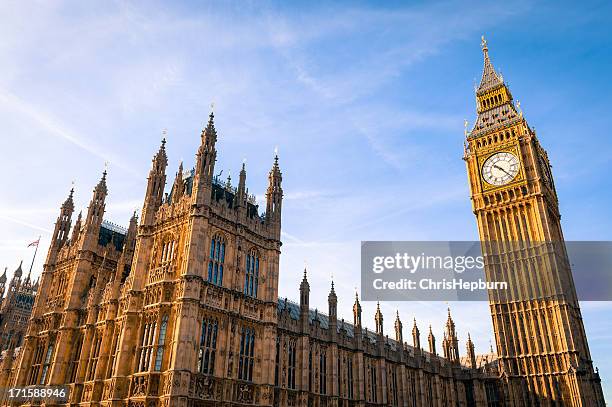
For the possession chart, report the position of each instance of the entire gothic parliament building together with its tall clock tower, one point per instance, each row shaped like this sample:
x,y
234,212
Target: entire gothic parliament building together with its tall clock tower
x,y
181,308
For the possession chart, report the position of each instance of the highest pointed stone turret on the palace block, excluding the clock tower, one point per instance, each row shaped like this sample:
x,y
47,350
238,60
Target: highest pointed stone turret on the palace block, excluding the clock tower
x,y
205,163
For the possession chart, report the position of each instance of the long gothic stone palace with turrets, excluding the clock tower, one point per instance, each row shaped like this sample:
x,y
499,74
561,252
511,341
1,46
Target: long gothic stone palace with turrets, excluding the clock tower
x,y
182,309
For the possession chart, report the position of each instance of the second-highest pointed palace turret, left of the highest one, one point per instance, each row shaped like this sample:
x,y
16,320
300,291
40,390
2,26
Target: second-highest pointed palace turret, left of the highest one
x,y
155,186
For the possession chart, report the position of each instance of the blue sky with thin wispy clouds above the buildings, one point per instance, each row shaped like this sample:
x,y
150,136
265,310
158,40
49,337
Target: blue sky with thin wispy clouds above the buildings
x,y
365,103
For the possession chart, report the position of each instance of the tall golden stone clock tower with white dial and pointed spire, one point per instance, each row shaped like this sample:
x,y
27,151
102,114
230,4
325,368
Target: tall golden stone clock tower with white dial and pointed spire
x,y
544,357
